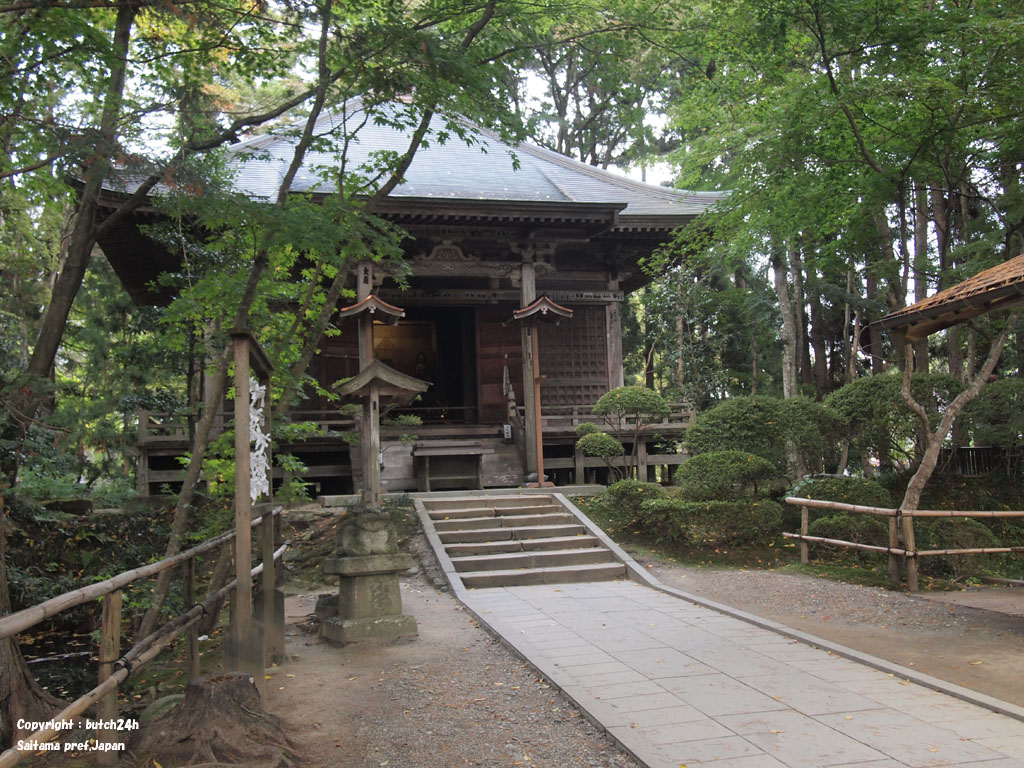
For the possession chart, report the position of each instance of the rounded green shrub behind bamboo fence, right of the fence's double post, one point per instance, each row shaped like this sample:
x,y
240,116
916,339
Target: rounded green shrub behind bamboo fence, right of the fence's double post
x,y
957,533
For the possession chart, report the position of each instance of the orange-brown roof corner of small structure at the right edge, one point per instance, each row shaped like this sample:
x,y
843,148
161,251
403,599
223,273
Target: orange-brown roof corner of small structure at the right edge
x,y
993,289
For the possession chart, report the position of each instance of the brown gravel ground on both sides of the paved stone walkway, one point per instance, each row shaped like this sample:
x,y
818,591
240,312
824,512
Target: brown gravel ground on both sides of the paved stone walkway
x,y
455,697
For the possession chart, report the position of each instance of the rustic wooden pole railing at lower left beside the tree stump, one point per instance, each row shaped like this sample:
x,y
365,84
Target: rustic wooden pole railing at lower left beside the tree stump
x,y
115,667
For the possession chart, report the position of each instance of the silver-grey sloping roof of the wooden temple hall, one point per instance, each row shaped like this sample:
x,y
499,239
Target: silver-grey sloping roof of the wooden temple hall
x,y
484,170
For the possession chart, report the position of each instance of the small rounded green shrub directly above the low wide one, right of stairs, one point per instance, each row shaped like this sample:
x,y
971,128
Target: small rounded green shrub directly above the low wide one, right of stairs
x,y
723,475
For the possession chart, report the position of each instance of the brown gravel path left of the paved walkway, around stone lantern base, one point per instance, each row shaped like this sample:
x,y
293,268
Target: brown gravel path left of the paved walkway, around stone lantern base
x,y
452,698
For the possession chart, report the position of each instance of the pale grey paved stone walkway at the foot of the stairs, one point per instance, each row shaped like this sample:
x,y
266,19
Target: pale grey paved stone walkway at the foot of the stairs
x,y
679,685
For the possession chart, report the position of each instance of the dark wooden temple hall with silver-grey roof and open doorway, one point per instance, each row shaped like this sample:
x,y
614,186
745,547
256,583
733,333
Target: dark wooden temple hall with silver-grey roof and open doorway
x,y
519,276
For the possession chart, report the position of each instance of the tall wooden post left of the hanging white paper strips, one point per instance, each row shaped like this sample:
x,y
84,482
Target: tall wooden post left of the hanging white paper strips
x,y
243,615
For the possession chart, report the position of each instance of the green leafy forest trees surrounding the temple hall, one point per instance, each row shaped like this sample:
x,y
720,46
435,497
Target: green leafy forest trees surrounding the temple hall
x,y
873,152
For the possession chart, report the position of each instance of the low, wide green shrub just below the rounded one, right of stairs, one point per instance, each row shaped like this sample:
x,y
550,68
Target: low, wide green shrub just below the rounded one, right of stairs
x,y
736,522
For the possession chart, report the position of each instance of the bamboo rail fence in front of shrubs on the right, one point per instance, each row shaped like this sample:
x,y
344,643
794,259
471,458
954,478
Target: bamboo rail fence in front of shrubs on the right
x,y
900,522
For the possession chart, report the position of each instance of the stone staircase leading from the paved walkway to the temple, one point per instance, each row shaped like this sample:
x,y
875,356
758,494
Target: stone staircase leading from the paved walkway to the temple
x,y
510,541
